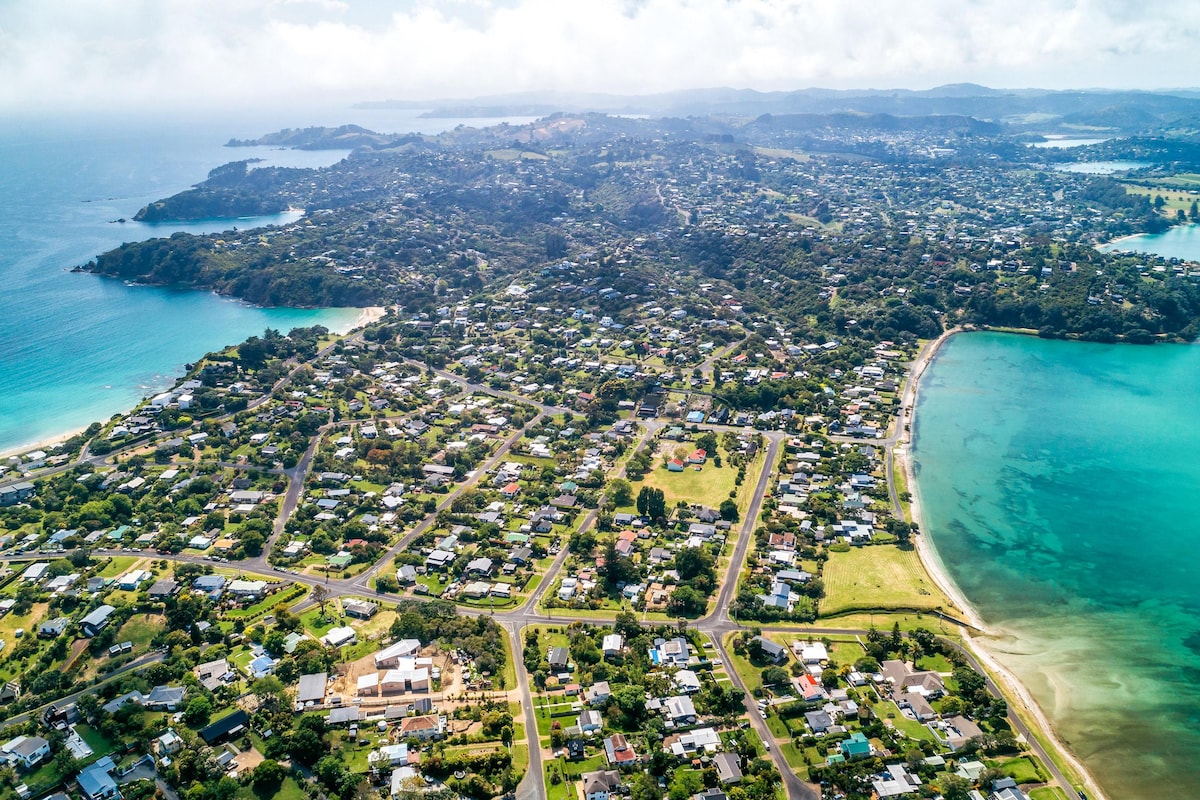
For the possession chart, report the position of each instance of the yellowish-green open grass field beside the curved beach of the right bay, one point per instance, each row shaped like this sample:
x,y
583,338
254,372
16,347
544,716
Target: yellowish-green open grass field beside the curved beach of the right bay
x,y
883,578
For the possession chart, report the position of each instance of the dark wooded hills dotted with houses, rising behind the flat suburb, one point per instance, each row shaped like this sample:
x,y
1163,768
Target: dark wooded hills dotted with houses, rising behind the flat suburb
x,y
945,225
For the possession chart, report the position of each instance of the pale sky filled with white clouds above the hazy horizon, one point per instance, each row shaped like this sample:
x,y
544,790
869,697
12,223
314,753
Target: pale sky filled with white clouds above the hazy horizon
x,y
85,55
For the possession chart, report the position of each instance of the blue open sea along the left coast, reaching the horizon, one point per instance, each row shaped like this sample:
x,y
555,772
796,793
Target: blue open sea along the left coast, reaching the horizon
x,y
76,348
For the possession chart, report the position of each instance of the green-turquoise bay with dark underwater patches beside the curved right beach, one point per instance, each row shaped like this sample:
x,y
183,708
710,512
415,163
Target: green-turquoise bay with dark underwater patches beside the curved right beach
x,y
1058,483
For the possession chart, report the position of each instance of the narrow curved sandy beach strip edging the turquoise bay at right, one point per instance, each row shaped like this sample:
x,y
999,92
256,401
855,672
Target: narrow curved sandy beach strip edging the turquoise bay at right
x,y
1009,682
